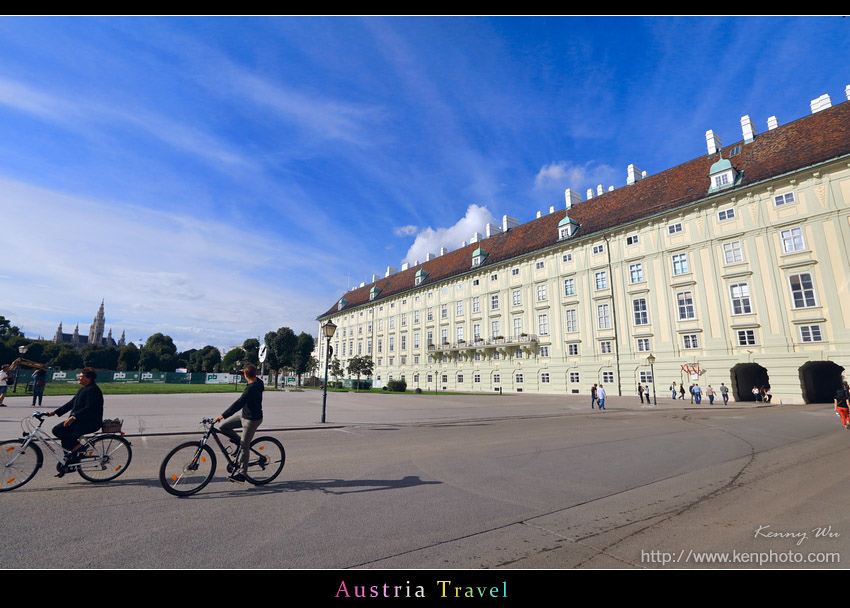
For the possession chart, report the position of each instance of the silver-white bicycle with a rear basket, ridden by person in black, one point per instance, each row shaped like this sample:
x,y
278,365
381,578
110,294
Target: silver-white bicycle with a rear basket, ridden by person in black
x,y
105,455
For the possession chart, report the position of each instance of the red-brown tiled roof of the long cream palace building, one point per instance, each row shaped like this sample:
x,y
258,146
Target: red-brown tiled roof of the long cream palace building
x,y
807,141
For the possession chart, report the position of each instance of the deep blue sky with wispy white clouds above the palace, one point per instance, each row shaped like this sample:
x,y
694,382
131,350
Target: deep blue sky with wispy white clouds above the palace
x,y
218,178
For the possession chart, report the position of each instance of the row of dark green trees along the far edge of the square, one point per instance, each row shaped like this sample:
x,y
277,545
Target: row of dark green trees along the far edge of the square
x,y
286,352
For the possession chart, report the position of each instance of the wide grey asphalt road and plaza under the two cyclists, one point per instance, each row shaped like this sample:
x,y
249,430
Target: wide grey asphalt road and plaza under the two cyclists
x,y
469,482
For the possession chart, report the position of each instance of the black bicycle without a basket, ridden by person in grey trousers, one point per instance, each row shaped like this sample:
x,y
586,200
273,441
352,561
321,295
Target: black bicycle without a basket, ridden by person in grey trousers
x,y
190,466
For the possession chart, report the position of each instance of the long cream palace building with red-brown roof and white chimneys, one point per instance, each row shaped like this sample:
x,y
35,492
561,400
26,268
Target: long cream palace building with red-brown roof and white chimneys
x,y
730,268
